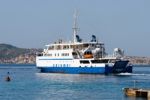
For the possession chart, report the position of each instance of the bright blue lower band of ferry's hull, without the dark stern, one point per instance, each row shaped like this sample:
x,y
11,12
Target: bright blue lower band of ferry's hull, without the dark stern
x,y
74,70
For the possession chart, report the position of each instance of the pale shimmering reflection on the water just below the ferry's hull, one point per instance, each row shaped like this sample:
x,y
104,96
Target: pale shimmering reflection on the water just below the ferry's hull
x,y
69,77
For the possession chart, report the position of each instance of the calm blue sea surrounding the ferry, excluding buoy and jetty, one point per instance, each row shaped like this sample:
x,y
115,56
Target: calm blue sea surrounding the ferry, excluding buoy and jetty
x,y
29,84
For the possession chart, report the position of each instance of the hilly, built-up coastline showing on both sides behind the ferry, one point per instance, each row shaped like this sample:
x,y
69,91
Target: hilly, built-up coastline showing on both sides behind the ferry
x,y
13,55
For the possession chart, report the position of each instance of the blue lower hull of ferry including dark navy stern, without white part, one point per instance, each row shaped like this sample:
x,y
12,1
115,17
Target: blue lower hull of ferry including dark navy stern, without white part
x,y
78,70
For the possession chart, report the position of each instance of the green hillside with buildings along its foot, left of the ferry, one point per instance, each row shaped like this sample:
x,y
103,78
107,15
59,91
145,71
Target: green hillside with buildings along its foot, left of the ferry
x,y
13,54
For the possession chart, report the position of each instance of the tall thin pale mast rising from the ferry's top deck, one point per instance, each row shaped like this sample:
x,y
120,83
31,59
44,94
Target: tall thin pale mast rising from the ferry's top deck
x,y
75,27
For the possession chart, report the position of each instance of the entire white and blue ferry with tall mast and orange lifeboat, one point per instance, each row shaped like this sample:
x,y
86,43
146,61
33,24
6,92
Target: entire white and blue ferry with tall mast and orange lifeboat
x,y
79,57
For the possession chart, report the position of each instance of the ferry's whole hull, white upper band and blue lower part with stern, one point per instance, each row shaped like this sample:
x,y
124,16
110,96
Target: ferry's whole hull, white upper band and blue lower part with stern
x,y
47,65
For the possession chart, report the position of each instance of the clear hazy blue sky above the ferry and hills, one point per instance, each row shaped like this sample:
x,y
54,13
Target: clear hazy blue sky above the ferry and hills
x,y
117,23
